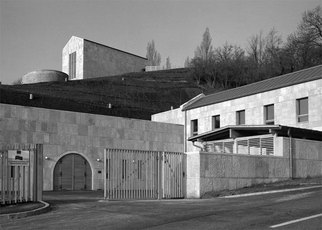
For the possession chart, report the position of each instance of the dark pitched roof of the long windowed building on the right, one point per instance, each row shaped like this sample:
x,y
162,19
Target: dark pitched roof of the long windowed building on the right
x,y
305,75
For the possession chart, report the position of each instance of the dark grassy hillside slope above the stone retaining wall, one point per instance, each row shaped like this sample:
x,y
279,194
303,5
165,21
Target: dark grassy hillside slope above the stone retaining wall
x,y
133,95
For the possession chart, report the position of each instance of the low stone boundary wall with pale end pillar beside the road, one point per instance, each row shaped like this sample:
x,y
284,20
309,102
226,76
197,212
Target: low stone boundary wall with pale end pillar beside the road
x,y
215,171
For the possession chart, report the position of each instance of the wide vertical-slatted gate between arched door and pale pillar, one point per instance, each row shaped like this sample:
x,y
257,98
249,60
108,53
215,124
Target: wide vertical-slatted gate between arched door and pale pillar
x,y
137,174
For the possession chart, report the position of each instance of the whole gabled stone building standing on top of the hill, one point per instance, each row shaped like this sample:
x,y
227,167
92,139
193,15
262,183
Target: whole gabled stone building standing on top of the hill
x,y
82,59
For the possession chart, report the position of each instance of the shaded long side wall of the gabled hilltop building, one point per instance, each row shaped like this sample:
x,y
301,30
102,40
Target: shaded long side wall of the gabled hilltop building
x,y
101,61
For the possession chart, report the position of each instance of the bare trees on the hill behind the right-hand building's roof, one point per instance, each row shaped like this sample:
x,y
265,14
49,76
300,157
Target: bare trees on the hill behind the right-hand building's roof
x,y
265,56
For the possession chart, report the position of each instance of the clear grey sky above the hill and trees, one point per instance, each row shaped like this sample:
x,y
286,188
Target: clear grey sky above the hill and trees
x,y
33,32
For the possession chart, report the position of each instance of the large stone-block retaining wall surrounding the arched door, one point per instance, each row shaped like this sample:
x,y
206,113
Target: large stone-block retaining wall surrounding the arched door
x,y
63,132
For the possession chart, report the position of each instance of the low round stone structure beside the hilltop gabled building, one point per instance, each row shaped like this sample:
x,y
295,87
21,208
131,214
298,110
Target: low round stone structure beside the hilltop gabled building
x,y
44,76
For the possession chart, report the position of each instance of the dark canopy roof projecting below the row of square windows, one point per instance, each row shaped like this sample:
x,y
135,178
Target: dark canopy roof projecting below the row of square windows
x,y
234,131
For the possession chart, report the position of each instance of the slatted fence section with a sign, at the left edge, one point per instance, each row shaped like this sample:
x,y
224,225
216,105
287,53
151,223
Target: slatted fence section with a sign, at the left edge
x,y
20,173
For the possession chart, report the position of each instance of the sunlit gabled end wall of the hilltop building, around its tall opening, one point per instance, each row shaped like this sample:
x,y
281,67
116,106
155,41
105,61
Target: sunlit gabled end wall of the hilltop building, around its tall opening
x,y
75,44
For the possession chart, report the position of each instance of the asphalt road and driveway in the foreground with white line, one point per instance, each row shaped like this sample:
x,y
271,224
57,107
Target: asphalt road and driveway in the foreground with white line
x,y
270,211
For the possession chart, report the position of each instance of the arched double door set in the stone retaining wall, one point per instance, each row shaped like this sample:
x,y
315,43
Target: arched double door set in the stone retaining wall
x,y
72,172
